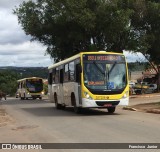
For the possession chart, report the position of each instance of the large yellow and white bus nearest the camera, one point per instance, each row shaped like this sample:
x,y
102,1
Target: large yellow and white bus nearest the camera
x,y
90,80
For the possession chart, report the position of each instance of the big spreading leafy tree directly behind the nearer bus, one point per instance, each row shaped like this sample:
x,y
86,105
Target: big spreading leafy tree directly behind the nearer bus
x,y
70,26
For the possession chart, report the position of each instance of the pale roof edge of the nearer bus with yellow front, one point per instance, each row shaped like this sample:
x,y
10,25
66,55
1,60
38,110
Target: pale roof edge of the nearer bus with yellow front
x,y
78,55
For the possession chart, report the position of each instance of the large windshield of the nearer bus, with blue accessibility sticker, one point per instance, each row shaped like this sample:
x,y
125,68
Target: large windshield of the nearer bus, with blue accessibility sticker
x,y
104,72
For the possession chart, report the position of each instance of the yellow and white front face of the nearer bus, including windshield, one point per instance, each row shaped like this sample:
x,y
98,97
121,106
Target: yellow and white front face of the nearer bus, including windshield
x,y
105,80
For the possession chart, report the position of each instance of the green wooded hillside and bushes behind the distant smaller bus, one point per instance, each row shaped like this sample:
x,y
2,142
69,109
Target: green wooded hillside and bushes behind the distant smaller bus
x,y
10,75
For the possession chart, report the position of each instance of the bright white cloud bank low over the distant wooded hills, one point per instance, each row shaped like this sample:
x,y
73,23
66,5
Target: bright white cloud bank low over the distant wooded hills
x,y
25,54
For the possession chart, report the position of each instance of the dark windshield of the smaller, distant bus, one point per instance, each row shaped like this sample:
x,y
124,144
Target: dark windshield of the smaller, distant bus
x,y
34,85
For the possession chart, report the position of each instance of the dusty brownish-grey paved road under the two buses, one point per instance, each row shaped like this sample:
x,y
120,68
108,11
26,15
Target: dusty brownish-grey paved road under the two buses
x,y
39,121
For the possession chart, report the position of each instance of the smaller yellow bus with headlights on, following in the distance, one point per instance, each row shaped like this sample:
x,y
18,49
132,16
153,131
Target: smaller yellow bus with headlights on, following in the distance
x,y
31,87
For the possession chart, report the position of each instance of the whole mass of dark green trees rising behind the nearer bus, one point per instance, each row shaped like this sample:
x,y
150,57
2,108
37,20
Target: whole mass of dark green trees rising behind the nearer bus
x,y
69,27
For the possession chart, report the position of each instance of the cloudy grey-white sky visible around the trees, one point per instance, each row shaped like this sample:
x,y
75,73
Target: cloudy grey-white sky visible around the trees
x,y
16,49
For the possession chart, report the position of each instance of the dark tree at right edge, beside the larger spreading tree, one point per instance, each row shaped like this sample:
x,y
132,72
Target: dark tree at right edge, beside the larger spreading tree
x,y
146,23
